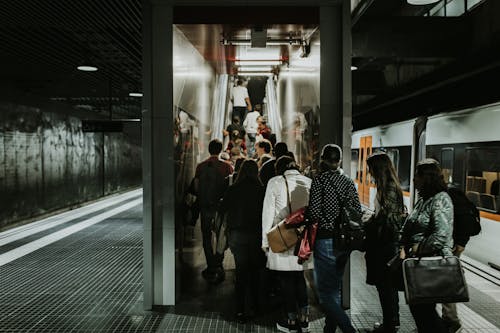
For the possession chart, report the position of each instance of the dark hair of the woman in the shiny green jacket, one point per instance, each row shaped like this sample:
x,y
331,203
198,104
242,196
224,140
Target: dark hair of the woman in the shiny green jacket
x,y
431,178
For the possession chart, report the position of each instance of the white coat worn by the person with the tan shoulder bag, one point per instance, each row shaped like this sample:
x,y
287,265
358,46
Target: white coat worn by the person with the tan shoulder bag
x,y
275,209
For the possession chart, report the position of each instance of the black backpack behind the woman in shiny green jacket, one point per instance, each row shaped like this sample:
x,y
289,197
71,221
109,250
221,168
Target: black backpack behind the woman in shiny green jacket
x,y
466,220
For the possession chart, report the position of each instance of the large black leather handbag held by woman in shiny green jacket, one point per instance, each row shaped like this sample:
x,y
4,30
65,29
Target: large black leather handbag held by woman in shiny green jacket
x,y
434,280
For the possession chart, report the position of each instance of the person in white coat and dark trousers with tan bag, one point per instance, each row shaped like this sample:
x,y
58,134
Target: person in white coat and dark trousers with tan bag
x,y
285,264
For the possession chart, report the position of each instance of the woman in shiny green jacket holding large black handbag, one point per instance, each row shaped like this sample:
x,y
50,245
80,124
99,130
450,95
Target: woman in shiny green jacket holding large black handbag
x,y
428,232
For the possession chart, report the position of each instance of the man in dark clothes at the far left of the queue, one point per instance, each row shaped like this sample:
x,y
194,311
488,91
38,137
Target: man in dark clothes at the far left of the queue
x,y
211,184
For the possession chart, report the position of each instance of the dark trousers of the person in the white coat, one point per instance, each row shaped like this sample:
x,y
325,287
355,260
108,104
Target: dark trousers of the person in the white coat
x,y
293,290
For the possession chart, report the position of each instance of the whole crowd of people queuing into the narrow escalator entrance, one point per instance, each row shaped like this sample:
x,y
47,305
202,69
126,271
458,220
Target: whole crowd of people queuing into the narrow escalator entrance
x,y
260,184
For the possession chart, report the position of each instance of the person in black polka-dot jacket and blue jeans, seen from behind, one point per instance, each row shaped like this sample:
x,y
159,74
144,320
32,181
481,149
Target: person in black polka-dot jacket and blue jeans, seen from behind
x,y
331,190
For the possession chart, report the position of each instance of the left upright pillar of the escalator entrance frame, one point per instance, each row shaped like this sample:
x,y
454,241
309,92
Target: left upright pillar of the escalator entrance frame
x,y
158,153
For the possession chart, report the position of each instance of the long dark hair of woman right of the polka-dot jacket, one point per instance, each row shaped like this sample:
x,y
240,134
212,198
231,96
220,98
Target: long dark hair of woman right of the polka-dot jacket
x,y
384,174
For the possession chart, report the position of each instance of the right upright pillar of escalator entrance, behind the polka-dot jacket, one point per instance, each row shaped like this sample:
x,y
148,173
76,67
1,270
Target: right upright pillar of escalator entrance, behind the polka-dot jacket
x,y
335,90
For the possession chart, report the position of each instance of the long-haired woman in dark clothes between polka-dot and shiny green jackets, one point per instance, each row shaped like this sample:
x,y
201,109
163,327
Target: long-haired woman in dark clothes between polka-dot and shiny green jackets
x,y
382,237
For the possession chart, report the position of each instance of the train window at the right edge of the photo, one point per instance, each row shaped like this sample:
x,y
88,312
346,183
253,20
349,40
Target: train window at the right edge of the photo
x,y
482,177
